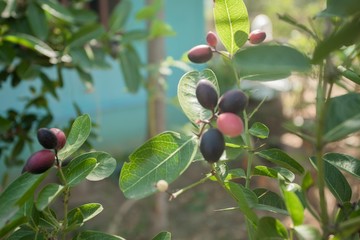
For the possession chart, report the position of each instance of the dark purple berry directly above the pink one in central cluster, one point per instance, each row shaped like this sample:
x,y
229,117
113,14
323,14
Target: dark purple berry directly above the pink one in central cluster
x,y
234,101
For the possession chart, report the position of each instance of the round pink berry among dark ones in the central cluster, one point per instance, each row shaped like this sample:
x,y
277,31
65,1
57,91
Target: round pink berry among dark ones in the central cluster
x,y
230,124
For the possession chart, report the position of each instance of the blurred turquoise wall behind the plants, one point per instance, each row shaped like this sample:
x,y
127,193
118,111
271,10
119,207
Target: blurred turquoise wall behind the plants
x,y
121,116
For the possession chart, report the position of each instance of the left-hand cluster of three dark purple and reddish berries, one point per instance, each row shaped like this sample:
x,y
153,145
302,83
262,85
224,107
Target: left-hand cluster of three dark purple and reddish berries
x,y
52,140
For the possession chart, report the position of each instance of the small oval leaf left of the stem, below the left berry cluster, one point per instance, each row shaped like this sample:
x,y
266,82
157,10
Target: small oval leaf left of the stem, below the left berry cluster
x,y
47,195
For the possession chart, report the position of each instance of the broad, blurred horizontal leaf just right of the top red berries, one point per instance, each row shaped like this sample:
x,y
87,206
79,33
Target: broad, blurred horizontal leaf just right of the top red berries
x,y
270,62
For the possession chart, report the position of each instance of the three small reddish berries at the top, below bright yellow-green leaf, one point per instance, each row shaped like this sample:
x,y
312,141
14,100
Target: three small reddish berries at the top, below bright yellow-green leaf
x,y
204,52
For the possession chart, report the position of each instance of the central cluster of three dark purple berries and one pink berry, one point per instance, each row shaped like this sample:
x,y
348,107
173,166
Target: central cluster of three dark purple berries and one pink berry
x,y
226,110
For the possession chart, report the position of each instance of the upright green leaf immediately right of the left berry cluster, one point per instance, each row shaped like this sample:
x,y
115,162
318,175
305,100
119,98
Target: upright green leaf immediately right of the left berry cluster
x,y
79,132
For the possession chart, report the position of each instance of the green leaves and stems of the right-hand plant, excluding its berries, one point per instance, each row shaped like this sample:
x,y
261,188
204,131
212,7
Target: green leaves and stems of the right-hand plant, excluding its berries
x,y
335,54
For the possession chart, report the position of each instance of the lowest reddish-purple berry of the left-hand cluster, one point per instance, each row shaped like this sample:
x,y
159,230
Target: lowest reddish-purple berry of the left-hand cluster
x,y
40,162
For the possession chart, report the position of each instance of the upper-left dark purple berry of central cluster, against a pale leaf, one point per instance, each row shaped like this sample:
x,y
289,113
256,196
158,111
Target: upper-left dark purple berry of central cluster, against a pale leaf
x,y
206,94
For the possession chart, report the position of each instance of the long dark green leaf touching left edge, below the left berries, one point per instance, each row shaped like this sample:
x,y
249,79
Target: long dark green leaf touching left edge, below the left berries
x,y
16,194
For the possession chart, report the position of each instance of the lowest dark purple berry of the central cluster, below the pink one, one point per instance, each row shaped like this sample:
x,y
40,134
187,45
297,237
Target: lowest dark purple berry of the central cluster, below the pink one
x,y
212,145
